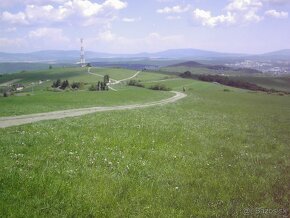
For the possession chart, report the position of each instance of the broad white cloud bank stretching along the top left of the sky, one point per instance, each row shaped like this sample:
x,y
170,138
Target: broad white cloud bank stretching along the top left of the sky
x,y
86,11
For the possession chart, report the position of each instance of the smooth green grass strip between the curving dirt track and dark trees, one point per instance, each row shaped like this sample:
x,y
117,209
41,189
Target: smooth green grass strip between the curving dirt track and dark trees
x,y
45,101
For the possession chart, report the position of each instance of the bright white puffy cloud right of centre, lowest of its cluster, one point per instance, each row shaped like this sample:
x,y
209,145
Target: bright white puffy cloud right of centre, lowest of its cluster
x,y
206,18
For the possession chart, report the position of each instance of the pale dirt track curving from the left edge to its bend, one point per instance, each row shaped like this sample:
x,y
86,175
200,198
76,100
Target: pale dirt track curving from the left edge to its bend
x,y
32,118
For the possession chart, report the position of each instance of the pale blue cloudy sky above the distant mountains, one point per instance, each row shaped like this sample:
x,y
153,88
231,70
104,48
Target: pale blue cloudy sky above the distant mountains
x,y
129,26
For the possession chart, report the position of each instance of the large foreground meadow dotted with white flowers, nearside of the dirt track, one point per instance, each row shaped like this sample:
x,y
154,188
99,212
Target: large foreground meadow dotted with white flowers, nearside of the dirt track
x,y
215,153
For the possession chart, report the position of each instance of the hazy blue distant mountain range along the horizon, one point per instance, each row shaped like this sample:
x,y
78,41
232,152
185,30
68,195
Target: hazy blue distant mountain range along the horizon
x,y
72,56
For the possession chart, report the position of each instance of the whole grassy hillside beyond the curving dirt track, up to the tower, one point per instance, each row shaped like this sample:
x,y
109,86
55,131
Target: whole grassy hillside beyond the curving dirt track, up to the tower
x,y
37,99
